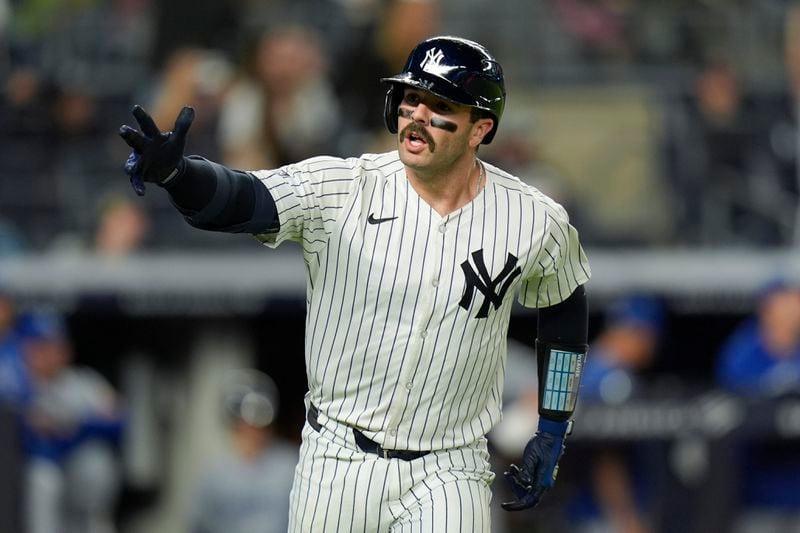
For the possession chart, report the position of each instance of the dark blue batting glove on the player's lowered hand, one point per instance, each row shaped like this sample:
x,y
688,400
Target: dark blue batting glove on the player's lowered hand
x,y
539,465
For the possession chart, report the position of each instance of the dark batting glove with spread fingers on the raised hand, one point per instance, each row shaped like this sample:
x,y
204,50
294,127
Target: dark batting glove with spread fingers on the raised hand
x,y
156,156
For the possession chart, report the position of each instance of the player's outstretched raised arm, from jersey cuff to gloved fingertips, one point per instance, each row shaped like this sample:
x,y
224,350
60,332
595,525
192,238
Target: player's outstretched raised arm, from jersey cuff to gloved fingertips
x,y
209,195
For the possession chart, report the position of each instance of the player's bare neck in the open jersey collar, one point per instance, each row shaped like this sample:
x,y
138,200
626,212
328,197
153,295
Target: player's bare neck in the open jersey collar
x,y
449,191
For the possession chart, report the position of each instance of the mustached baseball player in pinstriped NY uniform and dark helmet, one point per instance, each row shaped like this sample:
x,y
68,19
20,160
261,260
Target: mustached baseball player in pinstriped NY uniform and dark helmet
x,y
413,258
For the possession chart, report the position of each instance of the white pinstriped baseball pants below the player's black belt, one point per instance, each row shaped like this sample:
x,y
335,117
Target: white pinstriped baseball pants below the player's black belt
x,y
338,488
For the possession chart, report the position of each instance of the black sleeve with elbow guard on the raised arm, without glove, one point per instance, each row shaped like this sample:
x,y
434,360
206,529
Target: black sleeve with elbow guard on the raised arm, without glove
x,y
213,197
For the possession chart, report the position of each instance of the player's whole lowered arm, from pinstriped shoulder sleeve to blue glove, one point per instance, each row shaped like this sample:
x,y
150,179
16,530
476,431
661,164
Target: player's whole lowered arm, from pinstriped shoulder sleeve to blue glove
x,y
557,289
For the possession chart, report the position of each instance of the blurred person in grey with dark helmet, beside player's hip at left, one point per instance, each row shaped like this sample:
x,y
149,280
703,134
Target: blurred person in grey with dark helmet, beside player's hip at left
x,y
247,488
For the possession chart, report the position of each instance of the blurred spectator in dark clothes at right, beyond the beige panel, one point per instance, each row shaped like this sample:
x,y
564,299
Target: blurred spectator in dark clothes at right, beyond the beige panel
x,y
727,186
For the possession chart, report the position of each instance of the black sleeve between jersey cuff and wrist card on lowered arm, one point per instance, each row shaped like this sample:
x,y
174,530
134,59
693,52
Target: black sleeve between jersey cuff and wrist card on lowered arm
x,y
566,322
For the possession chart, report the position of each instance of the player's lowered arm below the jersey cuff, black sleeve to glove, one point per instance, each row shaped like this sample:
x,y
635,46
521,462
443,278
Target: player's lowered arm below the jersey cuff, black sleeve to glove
x,y
561,349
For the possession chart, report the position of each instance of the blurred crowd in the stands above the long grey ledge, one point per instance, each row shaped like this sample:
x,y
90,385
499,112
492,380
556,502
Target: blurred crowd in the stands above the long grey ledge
x,y
656,124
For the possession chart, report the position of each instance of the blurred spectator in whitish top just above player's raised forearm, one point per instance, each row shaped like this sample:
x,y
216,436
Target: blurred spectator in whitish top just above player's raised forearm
x,y
283,108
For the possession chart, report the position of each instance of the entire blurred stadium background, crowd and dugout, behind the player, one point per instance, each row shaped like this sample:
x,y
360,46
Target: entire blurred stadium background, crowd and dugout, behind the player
x,y
151,375
